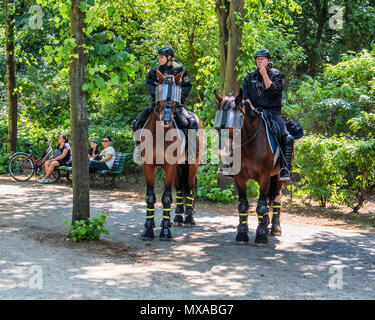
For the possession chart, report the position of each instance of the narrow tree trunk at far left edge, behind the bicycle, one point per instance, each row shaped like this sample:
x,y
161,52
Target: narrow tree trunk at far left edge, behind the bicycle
x,y
11,77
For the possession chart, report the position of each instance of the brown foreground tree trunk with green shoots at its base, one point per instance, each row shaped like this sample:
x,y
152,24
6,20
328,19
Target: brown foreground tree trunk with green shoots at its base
x,y
78,115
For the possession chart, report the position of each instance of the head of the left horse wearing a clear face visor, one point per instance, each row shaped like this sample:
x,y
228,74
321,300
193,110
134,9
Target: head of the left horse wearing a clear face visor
x,y
168,94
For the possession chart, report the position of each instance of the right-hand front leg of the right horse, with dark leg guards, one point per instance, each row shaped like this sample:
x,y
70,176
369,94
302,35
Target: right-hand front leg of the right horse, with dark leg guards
x,y
261,238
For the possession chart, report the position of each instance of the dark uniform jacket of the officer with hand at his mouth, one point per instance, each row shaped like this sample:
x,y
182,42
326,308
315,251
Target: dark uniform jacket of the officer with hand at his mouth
x,y
254,89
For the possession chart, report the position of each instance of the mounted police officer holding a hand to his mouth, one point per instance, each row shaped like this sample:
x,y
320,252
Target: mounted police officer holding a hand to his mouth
x,y
262,89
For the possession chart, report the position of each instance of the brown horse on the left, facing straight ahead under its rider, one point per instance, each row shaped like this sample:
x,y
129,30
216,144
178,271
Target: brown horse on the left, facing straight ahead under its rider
x,y
166,150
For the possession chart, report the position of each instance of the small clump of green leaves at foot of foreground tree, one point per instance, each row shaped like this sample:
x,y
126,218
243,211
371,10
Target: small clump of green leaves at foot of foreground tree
x,y
89,230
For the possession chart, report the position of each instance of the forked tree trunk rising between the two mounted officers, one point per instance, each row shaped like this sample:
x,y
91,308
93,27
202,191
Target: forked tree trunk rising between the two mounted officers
x,y
230,19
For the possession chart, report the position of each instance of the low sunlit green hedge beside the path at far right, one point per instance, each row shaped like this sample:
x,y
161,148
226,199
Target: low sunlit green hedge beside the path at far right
x,y
337,169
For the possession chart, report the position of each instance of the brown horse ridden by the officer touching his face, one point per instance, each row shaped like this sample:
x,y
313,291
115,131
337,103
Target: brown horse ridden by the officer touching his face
x,y
257,163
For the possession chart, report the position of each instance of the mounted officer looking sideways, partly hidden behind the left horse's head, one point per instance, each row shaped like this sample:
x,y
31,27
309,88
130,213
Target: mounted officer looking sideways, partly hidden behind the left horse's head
x,y
168,67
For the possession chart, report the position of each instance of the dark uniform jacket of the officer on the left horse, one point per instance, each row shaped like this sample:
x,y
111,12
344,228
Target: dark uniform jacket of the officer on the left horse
x,y
151,81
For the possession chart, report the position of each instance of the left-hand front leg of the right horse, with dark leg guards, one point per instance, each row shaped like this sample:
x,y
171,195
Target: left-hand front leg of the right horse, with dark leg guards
x,y
242,236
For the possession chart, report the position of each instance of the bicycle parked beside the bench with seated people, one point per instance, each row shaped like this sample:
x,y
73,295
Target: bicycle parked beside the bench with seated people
x,y
22,166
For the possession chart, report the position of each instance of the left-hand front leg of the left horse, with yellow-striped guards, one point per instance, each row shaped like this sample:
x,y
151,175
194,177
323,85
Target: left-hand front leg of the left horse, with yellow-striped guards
x,y
148,232
